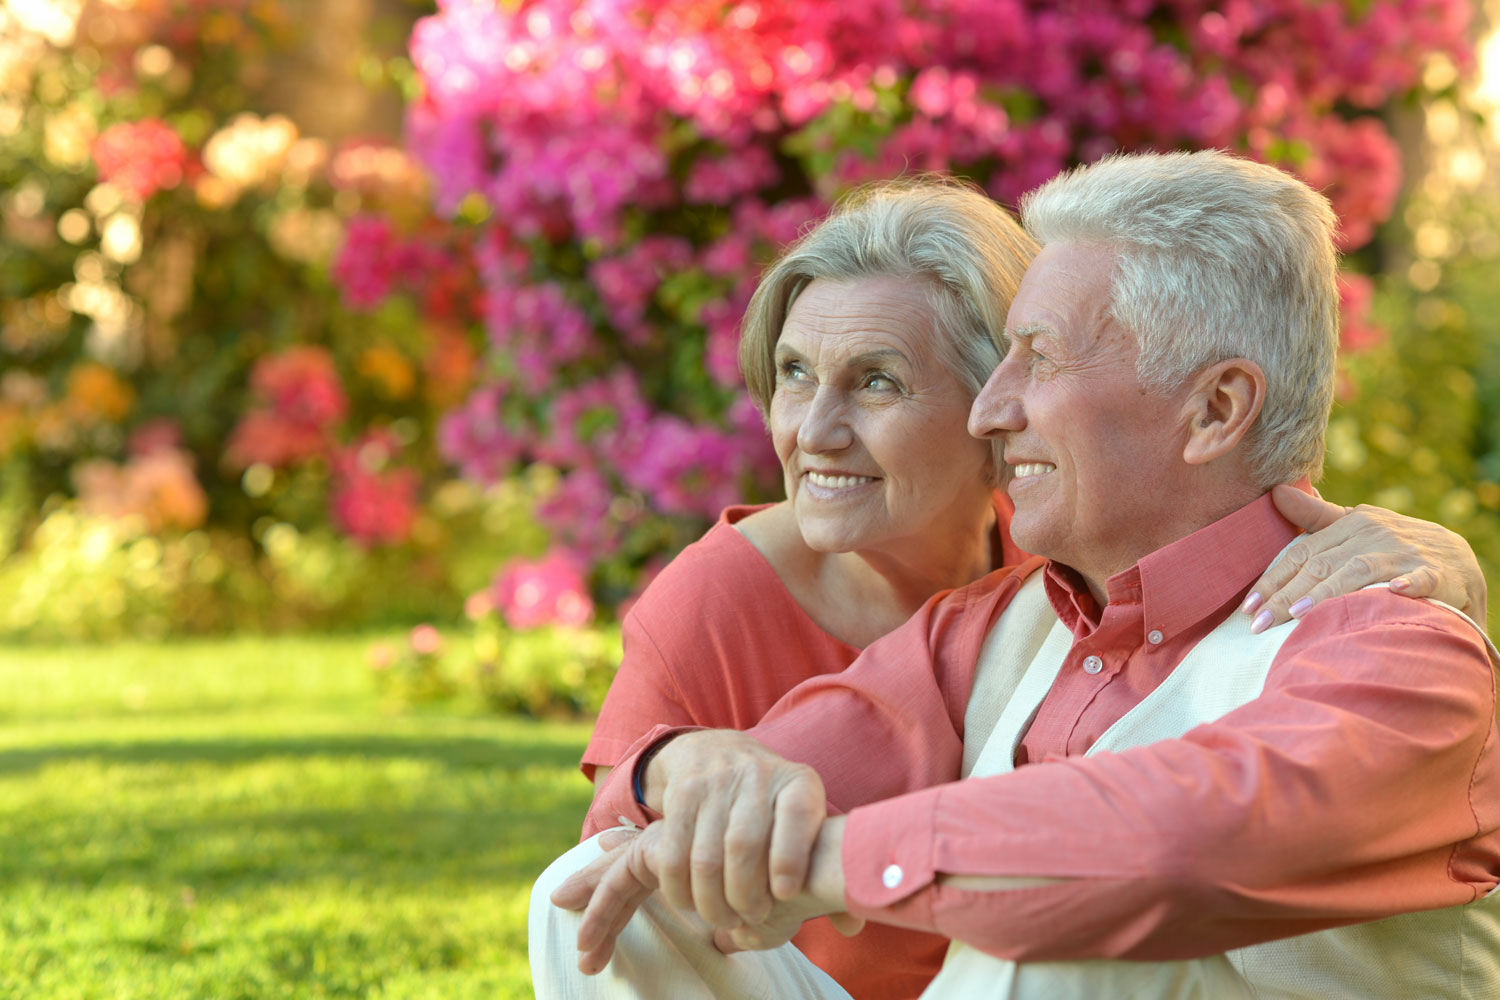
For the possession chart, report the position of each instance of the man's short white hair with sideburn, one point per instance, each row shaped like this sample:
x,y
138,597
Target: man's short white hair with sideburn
x,y
1219,259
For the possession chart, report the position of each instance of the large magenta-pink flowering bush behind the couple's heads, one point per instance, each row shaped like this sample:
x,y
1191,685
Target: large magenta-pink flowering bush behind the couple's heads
x,y
622,170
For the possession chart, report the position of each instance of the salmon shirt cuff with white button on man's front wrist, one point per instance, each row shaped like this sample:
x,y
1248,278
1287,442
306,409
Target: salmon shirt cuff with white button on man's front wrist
x,y
889,860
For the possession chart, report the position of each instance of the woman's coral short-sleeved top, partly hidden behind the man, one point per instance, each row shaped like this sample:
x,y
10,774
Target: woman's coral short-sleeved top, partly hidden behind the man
x,y
716,641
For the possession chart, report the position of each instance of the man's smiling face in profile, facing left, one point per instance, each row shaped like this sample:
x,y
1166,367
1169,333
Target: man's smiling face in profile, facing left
x,y
1094,455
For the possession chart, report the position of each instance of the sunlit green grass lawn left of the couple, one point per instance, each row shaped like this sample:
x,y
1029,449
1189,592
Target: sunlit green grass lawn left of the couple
x,y
239,819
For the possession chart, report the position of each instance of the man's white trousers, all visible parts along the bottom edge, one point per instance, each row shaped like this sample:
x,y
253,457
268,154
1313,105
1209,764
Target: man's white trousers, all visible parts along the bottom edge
x,y
668,956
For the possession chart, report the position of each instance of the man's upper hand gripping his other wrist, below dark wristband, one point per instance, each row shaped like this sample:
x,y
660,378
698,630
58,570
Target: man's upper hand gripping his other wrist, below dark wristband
x,y
739,825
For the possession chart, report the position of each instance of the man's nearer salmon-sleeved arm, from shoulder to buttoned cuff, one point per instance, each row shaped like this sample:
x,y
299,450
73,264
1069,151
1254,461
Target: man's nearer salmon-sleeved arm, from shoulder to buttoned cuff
x,y
1361,785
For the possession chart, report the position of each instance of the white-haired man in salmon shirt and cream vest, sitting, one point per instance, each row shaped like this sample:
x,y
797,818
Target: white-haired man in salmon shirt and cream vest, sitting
x,y
1096,759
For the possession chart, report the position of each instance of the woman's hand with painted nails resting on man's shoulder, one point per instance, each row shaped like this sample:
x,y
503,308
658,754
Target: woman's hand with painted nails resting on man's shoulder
x,y
1354,548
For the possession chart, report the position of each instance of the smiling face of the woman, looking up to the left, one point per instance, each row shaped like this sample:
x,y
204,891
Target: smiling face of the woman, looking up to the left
x,y
871,424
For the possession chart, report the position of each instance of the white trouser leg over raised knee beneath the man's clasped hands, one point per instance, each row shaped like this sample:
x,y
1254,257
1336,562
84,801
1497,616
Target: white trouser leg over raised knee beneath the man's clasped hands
x,y
661,956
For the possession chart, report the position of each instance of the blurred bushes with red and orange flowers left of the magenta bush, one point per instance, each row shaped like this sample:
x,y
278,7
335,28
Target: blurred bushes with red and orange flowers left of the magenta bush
x,y
232,329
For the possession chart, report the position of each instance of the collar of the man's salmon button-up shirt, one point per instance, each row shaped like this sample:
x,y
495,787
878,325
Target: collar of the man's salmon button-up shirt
x,y
1187,581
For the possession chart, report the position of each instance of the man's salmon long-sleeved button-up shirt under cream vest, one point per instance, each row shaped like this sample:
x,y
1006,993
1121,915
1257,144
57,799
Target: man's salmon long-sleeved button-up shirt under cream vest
x,y
1363,783
